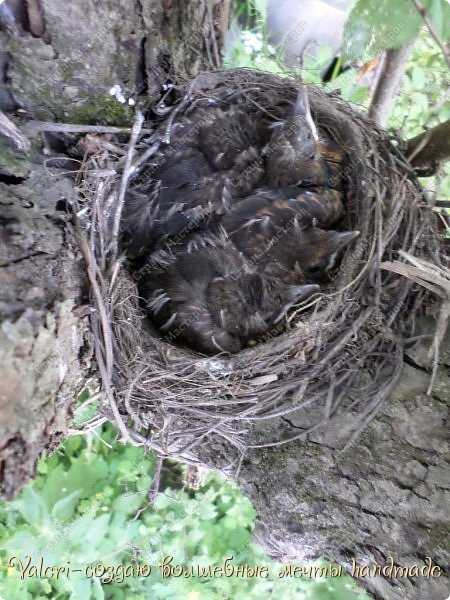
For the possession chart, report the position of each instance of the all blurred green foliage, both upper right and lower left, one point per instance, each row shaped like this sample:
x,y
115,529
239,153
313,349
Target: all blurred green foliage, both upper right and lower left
x,y
91,501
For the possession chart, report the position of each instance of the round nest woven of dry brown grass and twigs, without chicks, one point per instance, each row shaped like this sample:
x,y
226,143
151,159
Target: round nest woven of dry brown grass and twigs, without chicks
x,y
340,352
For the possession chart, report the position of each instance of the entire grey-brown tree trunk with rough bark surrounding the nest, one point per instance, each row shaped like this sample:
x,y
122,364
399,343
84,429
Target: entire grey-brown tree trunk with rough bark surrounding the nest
x,y
388,495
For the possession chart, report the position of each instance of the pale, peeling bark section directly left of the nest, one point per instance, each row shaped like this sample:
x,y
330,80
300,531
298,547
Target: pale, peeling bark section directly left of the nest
x,y
41,282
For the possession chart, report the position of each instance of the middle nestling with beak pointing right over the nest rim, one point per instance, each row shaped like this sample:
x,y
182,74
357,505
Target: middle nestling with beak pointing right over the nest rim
x,y
280,236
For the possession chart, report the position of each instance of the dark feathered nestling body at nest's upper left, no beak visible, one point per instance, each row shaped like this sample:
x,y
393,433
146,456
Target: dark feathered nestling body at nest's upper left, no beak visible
x,y
214,158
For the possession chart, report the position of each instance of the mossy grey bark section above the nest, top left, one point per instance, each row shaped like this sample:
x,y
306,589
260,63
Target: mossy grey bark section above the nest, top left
x,y
63,69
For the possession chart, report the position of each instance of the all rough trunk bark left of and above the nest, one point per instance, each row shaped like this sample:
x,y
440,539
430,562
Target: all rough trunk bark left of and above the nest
x,y
58,62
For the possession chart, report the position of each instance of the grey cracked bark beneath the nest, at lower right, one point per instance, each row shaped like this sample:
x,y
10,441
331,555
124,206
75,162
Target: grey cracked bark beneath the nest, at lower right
x,y
388,495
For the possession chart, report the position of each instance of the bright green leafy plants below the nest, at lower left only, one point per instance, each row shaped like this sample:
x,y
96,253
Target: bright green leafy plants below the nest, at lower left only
x,y
90,505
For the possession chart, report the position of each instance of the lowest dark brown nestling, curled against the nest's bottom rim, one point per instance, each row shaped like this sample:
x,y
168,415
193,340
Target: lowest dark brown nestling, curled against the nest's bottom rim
x,y
208,297
